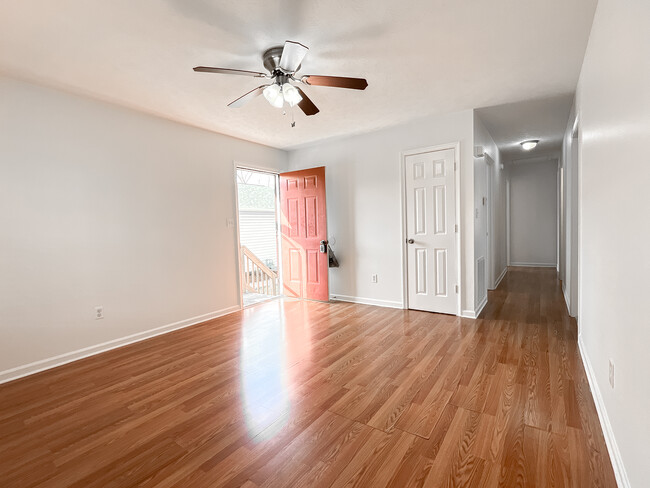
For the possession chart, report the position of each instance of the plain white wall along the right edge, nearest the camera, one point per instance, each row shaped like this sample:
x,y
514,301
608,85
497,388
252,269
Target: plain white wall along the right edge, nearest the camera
x,y
613,108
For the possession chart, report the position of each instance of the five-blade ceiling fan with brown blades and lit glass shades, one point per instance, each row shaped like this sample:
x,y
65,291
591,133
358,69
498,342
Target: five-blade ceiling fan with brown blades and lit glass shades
x,y
283,62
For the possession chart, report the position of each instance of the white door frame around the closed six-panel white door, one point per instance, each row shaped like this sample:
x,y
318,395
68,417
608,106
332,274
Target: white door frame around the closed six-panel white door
x,y
455,146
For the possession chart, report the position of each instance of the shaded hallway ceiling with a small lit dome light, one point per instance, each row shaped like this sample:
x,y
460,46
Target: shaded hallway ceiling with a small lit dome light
x,y
543,119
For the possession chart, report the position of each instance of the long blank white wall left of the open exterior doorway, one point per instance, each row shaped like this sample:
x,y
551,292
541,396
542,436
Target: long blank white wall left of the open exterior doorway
x,y
100,205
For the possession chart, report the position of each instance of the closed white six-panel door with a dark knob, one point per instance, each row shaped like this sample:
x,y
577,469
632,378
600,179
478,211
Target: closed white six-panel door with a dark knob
x,y
431,231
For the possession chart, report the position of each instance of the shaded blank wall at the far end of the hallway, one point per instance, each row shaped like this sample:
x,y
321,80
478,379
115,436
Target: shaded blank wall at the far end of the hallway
x,y
533,213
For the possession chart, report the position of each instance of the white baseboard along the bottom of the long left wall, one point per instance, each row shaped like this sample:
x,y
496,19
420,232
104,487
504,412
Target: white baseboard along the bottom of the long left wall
x,y
68,357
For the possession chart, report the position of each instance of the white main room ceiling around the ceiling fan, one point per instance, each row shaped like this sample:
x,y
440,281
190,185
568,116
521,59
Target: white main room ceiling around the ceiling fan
x,y
420,57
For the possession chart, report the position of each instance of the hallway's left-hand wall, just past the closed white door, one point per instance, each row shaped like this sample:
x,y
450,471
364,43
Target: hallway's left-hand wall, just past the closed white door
x,y
483,172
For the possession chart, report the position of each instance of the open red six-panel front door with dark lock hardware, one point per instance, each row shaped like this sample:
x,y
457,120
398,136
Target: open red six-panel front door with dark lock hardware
x,y
303,227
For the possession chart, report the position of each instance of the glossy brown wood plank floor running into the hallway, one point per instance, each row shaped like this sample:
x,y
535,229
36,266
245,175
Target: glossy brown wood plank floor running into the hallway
x,y
308,394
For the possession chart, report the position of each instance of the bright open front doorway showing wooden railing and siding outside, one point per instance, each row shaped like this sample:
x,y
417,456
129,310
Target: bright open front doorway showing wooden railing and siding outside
x,y
257,213
